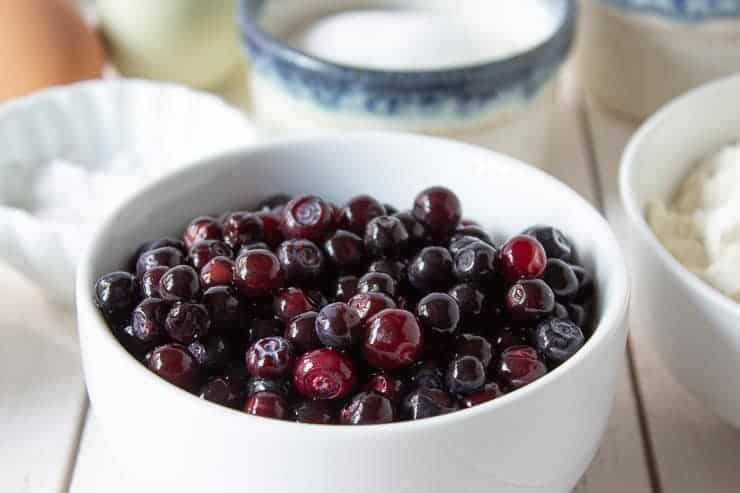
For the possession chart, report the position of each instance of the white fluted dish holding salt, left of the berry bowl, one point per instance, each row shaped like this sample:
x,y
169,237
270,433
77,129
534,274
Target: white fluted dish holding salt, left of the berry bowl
x,y
88,124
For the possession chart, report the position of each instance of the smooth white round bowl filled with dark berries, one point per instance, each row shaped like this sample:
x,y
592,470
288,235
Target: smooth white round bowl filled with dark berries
x,y
539,438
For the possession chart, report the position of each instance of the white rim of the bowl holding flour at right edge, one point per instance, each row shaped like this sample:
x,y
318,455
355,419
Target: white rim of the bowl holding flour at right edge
x,y
635,212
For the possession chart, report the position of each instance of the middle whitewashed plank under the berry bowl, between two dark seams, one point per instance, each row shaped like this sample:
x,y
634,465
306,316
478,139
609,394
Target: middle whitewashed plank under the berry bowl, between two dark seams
x,y
620,465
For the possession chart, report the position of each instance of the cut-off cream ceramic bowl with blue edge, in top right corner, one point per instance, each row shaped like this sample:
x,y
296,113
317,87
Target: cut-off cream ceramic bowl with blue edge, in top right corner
x,y
636,55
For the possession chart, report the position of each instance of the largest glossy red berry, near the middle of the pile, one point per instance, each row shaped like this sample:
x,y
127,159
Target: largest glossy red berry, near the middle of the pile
x,y
393,340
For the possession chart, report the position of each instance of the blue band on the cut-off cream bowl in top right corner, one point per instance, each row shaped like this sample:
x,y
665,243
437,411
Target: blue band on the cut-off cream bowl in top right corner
x,y
682,10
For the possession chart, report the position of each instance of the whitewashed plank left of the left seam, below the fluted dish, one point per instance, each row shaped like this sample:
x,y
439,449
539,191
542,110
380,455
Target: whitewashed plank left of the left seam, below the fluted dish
x,y
42,396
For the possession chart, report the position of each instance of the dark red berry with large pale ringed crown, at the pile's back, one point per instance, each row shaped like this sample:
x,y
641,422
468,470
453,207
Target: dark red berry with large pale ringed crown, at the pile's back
x,y
306,216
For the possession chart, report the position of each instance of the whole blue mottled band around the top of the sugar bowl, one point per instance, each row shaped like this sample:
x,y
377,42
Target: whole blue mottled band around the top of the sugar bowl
x,y
462,92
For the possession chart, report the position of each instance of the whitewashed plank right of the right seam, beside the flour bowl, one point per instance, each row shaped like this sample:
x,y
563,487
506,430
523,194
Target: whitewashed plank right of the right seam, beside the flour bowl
x,y
692,450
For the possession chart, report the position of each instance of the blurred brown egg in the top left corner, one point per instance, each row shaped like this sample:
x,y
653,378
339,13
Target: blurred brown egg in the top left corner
x,y
45,43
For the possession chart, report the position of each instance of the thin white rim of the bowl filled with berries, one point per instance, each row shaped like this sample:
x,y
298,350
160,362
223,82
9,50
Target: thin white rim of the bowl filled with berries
x,y
612,317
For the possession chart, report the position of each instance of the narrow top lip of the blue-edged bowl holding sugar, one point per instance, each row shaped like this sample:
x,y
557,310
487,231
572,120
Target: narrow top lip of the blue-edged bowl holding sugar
x,y
564,30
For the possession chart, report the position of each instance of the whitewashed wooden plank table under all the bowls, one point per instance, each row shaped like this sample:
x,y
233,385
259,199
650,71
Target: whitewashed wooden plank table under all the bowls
x,y
659,438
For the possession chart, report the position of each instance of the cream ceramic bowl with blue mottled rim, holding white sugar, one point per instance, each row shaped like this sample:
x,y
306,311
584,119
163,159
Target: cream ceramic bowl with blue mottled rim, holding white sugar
x,y
500,103
